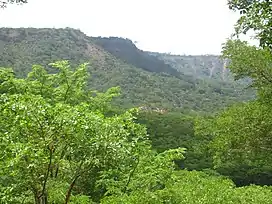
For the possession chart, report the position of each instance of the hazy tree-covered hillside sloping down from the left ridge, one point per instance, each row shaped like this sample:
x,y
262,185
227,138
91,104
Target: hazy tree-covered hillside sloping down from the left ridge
x,y
152,84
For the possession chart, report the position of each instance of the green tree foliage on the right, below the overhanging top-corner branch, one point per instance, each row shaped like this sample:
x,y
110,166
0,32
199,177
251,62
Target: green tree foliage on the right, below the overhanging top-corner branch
x,y
241,144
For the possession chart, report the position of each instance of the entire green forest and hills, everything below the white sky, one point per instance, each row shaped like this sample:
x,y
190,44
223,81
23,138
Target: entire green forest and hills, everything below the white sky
x,y
97,120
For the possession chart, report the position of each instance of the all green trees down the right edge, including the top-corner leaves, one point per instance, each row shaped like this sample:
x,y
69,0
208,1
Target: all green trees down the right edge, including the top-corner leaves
x,y
242,134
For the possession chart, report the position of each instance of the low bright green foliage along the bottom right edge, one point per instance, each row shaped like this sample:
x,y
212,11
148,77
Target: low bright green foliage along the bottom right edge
x,y
197,187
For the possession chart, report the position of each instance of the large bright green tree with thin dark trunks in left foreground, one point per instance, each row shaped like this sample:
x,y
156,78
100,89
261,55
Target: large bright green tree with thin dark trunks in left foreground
x,y
54,135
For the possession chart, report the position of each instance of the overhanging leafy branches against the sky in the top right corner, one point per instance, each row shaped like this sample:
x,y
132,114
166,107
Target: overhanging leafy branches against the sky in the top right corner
x,y
255,15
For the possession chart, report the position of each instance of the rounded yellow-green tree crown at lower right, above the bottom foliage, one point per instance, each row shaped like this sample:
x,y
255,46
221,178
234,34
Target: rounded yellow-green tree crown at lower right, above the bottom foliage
x,y
241,146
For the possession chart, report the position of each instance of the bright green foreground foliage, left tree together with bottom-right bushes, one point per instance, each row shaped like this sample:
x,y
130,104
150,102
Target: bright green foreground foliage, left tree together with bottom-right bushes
x,y
58,146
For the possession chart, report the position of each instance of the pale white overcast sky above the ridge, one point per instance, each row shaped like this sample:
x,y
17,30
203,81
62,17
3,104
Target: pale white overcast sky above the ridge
x,y
190,27
